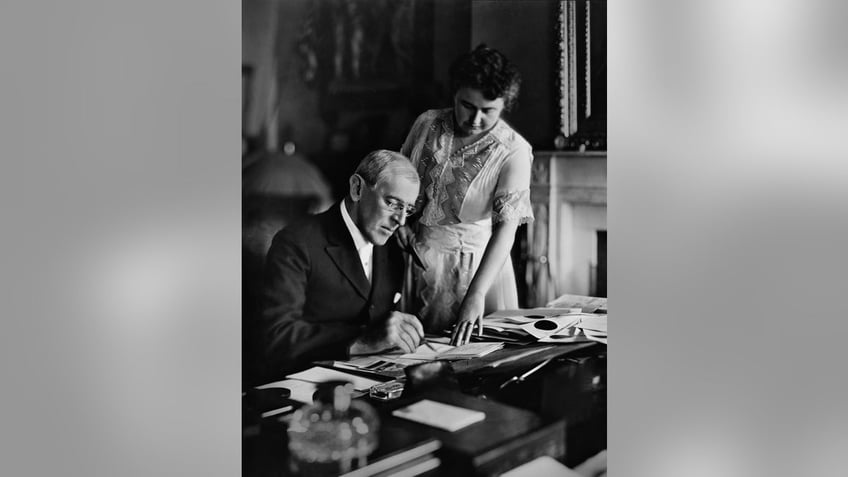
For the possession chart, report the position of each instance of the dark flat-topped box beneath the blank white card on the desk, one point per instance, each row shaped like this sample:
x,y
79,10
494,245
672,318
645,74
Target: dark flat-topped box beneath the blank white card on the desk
x,y
508,437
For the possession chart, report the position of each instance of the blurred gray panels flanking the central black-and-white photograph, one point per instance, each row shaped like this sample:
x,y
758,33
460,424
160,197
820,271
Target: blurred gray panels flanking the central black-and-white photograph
x,y
121,197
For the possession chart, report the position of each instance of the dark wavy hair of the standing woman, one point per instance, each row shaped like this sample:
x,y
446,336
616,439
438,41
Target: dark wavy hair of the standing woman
x,y
489,71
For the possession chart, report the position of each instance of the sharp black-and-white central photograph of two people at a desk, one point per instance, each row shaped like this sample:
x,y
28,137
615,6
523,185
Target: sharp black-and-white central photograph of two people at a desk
x,y
423,233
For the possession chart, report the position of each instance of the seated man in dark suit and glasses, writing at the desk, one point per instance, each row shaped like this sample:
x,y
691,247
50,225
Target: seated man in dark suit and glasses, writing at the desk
x,y
331,280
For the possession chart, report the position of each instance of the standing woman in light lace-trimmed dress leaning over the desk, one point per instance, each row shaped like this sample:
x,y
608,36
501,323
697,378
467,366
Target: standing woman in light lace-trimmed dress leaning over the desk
x,y
475,192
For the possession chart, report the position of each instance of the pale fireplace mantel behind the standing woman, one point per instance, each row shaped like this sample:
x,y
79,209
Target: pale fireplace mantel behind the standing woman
x,y
569,195
